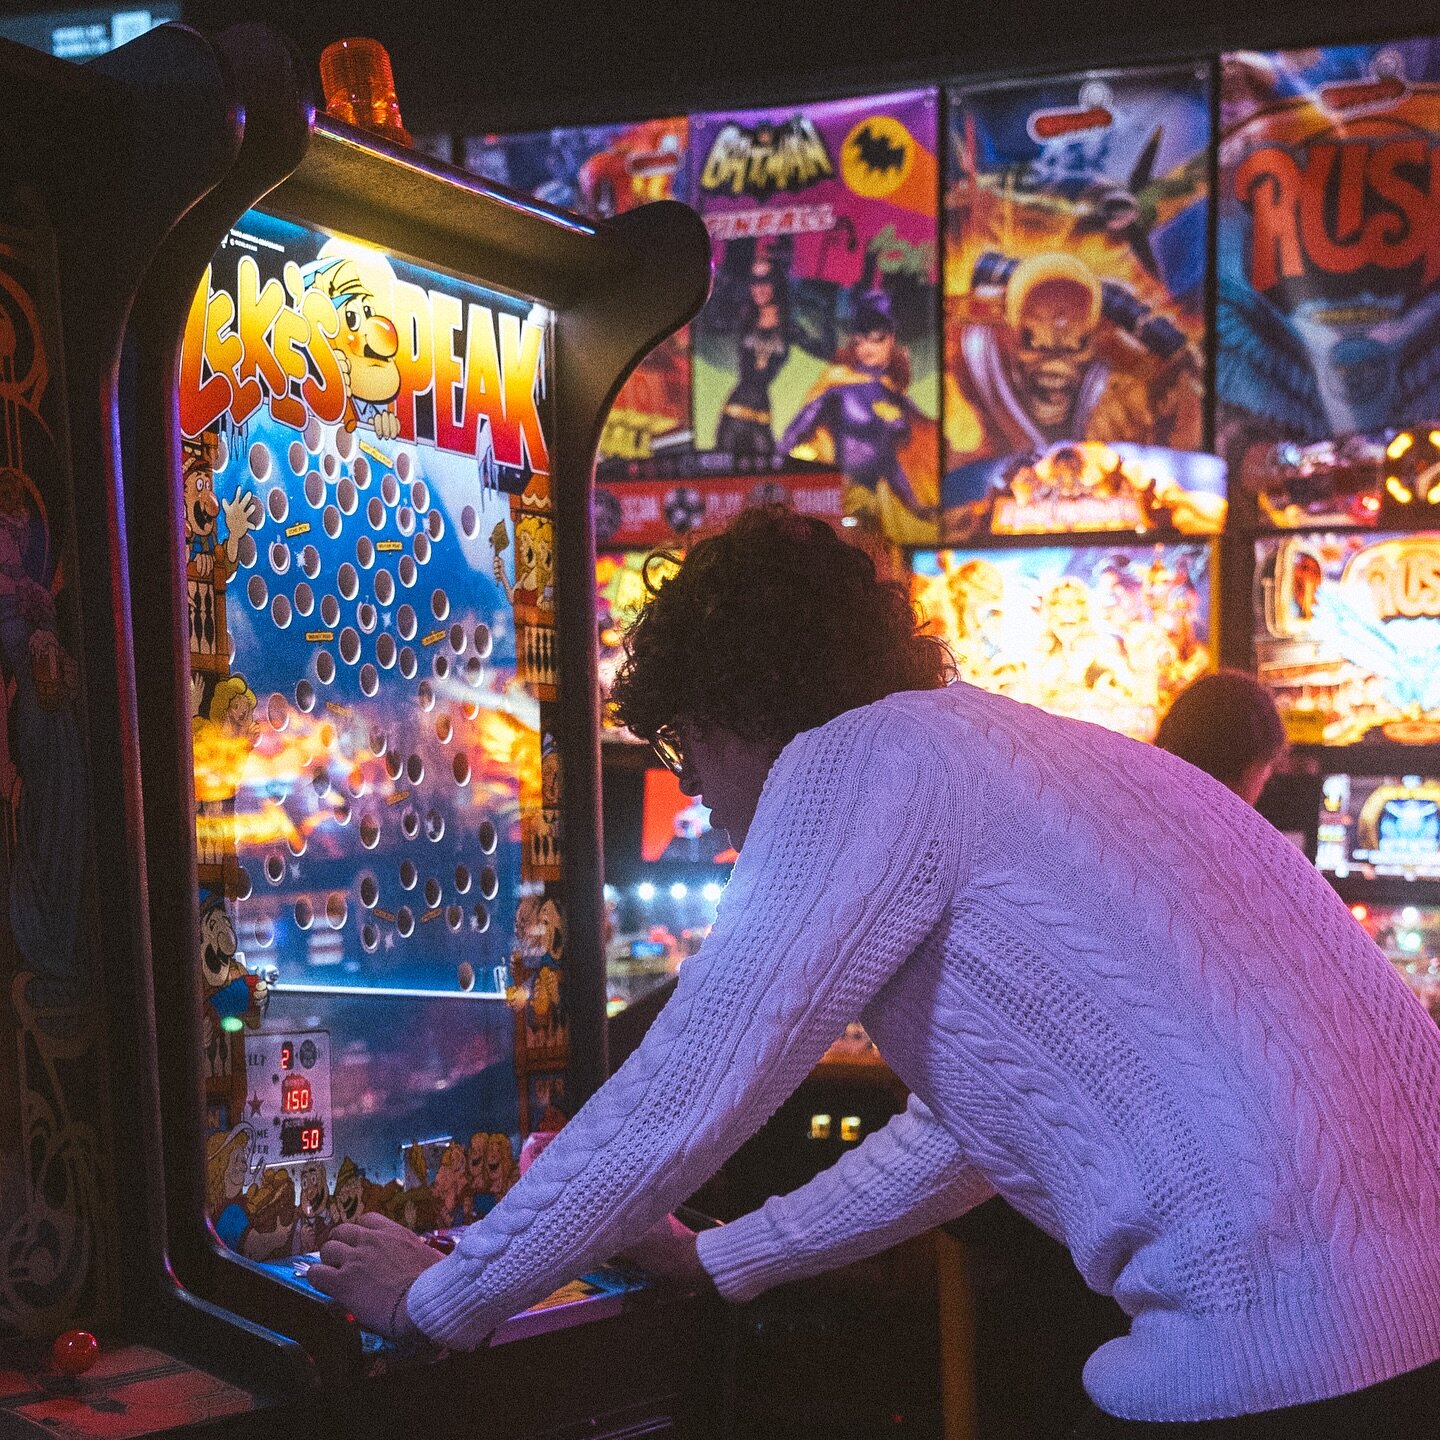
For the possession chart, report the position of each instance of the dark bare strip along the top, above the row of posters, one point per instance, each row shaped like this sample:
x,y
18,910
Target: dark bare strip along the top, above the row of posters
x,y
538,63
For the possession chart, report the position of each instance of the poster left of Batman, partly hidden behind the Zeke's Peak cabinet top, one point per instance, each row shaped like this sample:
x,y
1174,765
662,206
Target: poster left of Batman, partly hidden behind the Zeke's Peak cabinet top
x,y
603,171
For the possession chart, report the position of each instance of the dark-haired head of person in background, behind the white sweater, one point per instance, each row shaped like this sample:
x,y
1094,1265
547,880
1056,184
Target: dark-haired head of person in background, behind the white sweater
x,y
1228,726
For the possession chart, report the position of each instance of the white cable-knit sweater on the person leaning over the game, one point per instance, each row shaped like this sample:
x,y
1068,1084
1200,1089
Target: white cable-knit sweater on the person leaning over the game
x,y
1121,1000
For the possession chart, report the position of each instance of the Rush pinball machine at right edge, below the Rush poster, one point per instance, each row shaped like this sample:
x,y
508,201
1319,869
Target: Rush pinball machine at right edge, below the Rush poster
x,y
1346,637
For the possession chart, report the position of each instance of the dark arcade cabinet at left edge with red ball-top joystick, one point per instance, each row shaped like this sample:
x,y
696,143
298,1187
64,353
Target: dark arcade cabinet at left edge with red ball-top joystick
x,y
97,165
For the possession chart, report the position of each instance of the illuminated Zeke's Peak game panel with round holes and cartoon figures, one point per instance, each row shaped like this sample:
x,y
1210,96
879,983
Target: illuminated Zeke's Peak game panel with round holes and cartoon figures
x,y
369,567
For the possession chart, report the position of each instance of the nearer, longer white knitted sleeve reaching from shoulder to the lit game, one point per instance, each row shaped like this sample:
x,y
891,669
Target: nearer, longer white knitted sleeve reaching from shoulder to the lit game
x,y
847,868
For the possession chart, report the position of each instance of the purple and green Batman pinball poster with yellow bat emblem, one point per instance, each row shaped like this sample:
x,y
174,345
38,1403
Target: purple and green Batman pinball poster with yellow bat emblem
x,y
820,341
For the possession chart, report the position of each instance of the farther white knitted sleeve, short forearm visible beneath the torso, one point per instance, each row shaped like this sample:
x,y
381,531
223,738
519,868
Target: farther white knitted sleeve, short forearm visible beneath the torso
x,y
899,1183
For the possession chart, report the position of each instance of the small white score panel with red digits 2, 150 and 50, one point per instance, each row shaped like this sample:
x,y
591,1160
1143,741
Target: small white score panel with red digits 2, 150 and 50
x,y
289,1095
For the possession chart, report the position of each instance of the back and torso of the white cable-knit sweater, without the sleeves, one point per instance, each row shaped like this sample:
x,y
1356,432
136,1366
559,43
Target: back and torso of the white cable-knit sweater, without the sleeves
x,y
1203,1078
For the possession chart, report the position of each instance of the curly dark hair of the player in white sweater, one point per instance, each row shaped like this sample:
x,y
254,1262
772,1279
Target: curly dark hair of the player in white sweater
x,y
768,630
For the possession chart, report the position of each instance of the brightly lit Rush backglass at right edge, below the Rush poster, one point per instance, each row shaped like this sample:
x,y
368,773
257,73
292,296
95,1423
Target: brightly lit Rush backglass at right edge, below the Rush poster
x,y
1347,633
